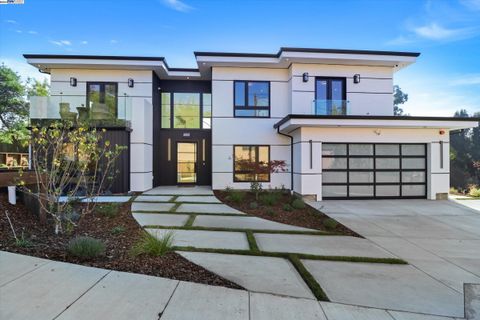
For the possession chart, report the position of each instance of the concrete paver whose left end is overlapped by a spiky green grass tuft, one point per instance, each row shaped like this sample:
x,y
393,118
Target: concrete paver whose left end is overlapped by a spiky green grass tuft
x,y
205,239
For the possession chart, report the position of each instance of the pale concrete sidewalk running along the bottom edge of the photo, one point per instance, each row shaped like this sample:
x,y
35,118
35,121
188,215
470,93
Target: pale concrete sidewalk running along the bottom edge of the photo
x,y
33,288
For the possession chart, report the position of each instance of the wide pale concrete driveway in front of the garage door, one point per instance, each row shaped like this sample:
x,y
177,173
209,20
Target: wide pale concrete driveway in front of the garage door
x,y
439,239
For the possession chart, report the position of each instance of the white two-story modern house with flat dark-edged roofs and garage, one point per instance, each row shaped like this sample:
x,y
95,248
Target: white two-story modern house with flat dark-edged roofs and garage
x,y
327,113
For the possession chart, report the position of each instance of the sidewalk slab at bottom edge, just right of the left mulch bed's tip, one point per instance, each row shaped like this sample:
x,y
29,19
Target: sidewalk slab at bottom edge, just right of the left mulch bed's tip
x,y
268,307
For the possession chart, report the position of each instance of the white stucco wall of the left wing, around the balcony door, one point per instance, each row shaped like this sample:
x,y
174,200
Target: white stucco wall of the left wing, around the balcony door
x,y
140,97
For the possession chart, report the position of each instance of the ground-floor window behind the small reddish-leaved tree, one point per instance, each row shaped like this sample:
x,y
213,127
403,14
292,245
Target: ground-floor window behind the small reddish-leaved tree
x,y
251,163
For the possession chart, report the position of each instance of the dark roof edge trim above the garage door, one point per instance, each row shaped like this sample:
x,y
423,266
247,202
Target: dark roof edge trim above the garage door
x,y
307,116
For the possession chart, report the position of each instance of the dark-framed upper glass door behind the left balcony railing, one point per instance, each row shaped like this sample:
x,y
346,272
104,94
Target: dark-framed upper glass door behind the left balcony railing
x,y
102,100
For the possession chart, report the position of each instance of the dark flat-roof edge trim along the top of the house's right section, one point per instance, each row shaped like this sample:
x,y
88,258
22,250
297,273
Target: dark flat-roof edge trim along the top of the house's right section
x,y
315,50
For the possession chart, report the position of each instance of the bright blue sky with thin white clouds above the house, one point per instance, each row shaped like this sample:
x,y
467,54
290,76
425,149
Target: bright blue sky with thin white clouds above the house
x,y
445,78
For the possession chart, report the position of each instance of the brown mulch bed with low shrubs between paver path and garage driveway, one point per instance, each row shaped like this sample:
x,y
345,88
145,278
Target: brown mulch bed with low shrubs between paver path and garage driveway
x,y
307,217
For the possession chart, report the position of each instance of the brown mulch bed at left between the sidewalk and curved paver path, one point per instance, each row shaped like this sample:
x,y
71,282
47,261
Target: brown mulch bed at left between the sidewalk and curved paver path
x,y
45,244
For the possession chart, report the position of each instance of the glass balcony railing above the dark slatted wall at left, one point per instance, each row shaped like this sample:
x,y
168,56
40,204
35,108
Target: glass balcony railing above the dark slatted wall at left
x,y
109,111
